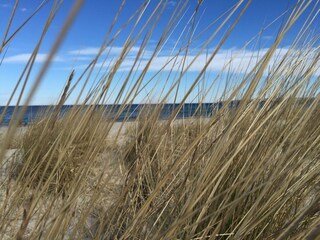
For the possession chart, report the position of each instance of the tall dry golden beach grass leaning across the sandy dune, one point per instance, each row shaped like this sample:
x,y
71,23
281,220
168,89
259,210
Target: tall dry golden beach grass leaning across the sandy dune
x,y
247,172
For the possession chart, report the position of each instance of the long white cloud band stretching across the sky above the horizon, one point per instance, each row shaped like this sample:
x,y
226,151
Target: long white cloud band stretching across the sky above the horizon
x,y
228,59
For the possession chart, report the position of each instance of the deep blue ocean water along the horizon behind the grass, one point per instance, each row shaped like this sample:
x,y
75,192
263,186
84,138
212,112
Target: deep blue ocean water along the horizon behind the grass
x,y
129,112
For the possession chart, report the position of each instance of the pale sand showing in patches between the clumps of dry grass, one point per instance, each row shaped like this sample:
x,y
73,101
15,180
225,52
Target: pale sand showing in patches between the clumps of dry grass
x,y
112,167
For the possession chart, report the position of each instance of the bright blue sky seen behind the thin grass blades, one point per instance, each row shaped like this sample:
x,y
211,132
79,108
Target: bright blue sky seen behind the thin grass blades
x,y
92,23
